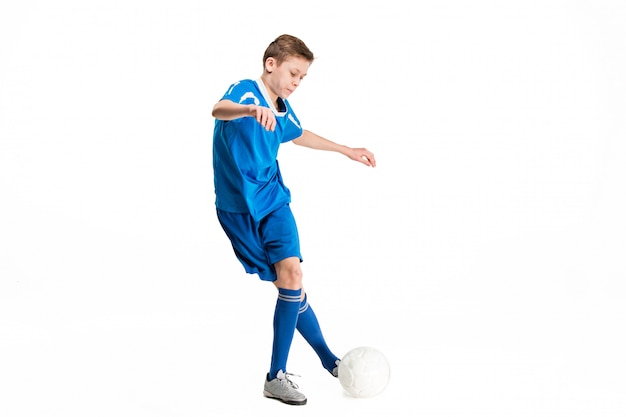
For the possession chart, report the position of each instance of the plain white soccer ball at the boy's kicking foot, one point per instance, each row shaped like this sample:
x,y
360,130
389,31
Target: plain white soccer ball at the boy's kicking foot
x,y
364,372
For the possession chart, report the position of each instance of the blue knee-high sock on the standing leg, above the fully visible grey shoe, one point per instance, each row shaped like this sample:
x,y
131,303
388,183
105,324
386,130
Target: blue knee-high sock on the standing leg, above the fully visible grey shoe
x,y
285,318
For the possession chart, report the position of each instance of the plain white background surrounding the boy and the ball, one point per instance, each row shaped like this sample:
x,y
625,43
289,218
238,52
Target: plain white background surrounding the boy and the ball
x,y
484,255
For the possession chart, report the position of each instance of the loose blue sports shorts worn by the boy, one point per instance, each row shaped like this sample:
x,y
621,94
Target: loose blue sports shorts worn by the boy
x,y
260,244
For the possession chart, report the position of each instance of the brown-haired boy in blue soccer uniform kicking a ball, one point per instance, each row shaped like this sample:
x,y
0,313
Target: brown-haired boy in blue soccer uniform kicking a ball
x,y
253,119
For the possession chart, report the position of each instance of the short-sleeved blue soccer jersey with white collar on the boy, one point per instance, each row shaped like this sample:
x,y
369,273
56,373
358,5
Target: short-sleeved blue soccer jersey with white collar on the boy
x,y
247,177
